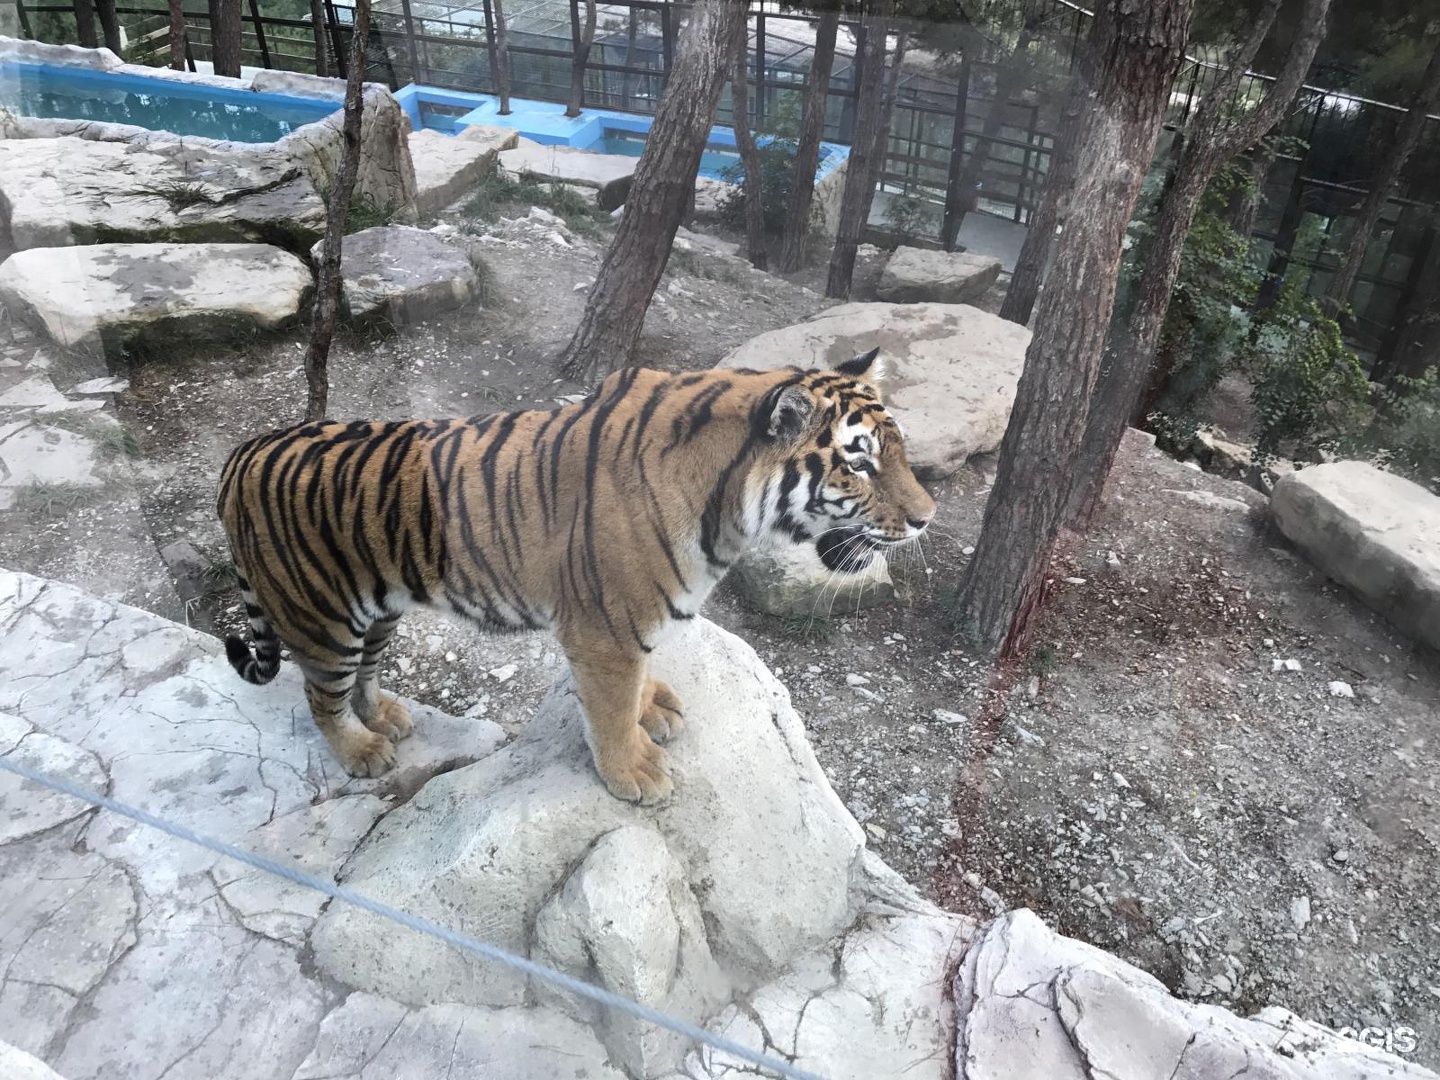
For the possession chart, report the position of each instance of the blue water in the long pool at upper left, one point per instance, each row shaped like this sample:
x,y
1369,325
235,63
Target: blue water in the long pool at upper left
x,y
34,90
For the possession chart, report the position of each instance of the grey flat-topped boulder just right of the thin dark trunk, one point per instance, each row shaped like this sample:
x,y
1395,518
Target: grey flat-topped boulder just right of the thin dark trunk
x,y
401,274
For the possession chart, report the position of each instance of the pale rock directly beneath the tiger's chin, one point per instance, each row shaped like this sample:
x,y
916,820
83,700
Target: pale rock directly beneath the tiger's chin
x,y
791,581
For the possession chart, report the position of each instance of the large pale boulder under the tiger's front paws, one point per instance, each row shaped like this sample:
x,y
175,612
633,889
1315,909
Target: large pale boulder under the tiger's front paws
x,y
529,852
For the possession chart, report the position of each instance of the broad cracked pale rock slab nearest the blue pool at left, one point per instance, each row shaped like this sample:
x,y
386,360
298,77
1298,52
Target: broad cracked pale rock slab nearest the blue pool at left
x,y
58,192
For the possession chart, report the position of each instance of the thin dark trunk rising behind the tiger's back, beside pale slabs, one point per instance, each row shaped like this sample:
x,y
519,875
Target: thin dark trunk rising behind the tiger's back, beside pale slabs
x,y
328,282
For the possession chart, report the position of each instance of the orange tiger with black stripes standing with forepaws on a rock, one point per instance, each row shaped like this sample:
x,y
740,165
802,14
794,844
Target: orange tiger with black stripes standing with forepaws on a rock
x,y
604,521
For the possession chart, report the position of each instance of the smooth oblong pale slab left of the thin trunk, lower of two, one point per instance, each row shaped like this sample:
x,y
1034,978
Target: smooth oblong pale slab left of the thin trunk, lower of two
x,y
114,294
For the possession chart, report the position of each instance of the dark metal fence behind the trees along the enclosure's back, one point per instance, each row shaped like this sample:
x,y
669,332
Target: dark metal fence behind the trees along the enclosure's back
x,y
451,44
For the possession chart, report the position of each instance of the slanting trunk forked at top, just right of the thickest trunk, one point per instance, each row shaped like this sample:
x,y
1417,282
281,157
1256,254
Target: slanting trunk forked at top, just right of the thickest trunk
x,y
1215,140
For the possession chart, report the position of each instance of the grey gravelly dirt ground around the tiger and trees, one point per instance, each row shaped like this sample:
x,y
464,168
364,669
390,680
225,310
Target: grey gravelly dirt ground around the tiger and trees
x,y
1154,784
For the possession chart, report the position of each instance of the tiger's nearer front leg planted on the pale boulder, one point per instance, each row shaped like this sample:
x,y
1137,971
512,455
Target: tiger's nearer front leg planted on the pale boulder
x,y
611,685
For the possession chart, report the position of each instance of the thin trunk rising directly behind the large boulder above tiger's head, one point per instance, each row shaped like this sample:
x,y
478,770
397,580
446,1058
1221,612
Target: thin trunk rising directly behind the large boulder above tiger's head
x,y
865,149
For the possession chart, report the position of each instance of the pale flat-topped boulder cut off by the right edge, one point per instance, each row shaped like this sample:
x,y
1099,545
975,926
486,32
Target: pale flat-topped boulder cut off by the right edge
x,y
1376,534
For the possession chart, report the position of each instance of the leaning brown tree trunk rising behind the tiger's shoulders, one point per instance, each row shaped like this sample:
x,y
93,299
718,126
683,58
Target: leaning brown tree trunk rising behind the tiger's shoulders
x,y
660,192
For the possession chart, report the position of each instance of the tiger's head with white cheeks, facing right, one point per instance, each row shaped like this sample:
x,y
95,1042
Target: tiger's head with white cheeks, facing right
x,y
839,474
